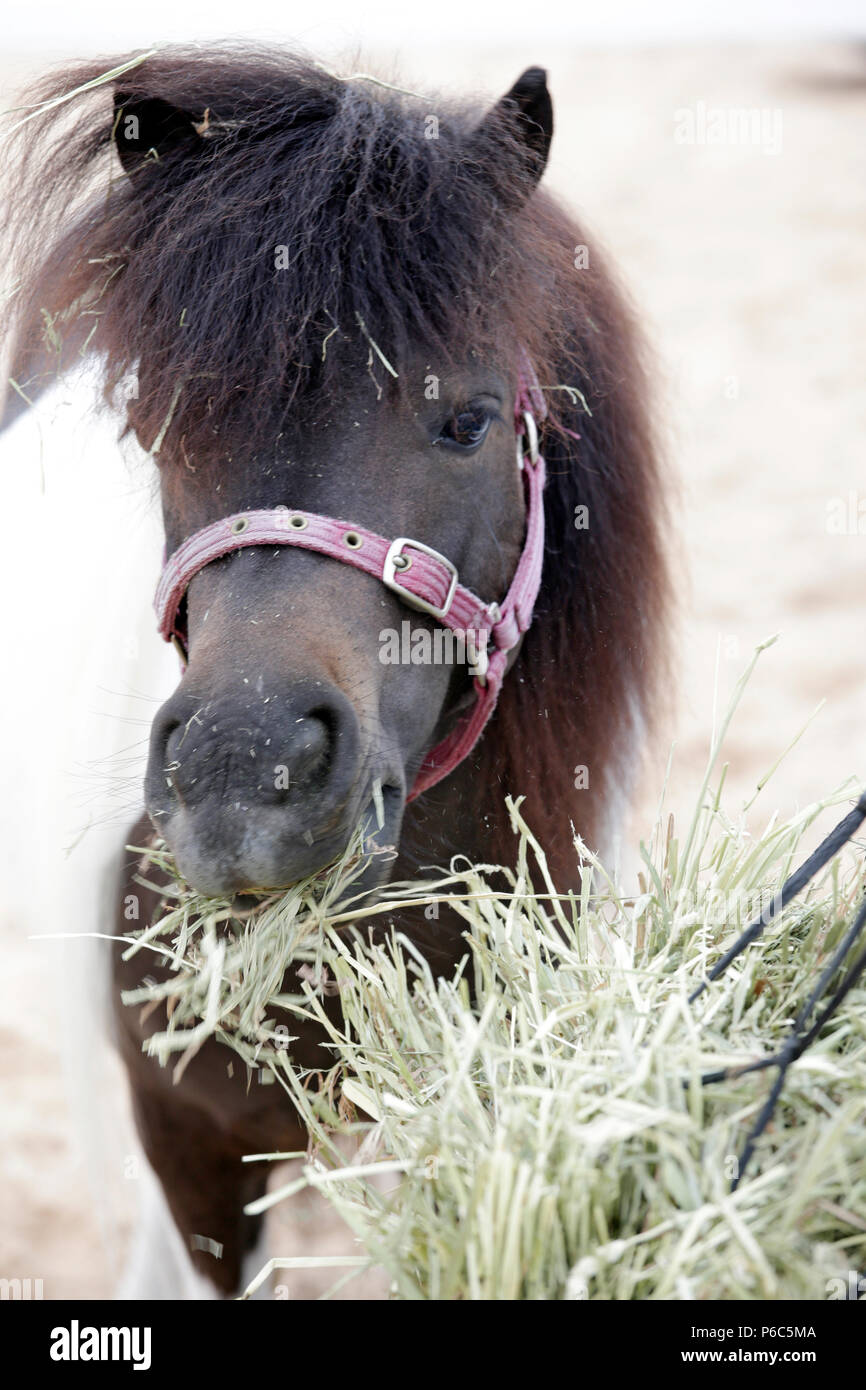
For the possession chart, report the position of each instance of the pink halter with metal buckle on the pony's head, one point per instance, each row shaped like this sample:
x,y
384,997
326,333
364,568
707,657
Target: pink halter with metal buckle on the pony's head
x,y
422,578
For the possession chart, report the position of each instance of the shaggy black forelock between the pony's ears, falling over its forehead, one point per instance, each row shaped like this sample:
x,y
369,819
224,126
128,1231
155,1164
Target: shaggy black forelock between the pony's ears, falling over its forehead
x,y
305,211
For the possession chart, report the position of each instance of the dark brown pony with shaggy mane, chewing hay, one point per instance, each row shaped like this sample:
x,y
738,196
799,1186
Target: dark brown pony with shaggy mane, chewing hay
x,y
319,293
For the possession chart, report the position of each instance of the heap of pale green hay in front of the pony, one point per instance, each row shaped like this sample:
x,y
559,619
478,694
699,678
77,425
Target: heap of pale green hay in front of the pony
x,y
540,1128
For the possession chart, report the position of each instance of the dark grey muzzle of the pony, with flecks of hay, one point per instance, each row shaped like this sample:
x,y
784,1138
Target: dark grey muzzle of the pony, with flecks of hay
x,y
256,792
